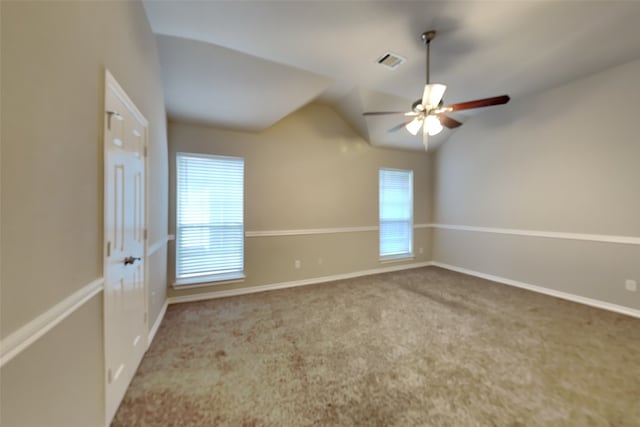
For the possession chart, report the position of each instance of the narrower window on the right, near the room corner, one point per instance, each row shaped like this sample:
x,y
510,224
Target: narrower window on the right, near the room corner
x,y
396,213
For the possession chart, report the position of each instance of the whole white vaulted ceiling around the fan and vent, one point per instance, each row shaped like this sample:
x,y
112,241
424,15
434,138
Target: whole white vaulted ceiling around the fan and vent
x,y
247,64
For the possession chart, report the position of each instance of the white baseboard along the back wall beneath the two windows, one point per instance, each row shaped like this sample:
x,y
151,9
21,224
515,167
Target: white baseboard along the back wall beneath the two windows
x,y
292,284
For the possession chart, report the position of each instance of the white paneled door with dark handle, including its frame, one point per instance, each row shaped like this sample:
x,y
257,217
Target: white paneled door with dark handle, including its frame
x,y
125,315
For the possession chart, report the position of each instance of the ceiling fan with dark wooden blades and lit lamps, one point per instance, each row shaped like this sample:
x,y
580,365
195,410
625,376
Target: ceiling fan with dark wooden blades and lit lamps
x,y
429,112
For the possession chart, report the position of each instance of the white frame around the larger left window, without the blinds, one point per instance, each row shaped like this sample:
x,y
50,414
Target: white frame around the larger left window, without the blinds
x,y
208,278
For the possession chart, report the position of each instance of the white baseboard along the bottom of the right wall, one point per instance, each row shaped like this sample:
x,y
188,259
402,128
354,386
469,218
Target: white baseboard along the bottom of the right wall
x,y
542,290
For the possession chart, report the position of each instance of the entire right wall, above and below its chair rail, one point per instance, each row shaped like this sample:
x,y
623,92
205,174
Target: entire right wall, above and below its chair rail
x,y
565,160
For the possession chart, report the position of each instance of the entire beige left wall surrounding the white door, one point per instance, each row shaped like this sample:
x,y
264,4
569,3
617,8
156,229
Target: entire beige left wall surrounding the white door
x,y
54,56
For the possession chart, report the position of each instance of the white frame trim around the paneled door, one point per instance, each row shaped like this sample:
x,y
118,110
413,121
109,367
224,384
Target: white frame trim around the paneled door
x,y
111,85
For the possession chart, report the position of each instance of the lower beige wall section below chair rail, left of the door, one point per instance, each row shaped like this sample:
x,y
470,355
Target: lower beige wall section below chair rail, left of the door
x,y
58,380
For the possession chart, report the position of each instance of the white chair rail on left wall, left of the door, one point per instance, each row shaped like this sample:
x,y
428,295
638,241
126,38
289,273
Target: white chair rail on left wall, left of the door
x,y
22,338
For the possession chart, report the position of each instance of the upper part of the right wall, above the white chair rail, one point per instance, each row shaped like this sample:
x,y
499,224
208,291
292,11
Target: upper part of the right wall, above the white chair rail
x,y
562,160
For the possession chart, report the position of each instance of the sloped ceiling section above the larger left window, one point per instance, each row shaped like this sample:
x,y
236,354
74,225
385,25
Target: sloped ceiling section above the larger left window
x,y
209,84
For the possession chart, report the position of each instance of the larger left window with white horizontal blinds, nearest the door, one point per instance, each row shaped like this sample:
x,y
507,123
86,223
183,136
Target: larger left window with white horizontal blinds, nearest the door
x,y
210,218
